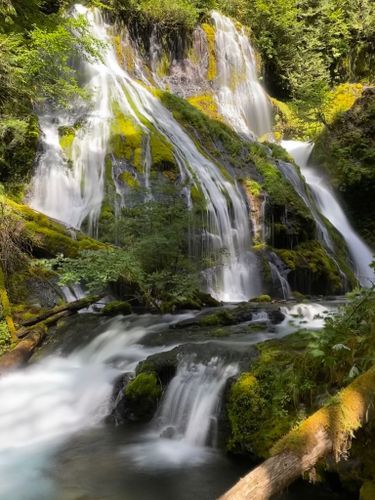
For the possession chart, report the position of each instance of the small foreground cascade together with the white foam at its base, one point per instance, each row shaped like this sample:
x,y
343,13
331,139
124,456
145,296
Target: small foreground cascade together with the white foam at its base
x,y
184,430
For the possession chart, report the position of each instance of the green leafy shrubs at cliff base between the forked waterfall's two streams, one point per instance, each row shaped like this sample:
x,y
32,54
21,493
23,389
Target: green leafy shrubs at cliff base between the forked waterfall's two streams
x,y
154,260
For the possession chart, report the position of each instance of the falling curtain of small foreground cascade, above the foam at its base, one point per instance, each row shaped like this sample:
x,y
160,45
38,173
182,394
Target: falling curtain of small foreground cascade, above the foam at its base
x,y
190,407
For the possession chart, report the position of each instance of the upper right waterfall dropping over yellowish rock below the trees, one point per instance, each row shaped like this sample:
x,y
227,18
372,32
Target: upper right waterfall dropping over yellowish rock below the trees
x,y
240,96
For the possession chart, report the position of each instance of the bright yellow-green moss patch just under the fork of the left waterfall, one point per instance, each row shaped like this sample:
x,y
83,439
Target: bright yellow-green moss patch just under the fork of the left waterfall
x,y
126,138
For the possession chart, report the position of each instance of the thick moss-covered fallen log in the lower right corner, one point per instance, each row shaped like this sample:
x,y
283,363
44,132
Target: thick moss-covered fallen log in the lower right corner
x,y
327,431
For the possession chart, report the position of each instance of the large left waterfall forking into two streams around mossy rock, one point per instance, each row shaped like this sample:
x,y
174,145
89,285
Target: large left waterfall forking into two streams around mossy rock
x,y
80,190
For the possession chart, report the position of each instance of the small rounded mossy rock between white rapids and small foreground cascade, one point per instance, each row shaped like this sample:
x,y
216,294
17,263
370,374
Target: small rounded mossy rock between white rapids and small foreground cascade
x,y
142,396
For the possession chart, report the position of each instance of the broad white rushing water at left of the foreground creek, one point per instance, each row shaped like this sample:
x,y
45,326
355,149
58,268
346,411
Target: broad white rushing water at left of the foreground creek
x,y
45,404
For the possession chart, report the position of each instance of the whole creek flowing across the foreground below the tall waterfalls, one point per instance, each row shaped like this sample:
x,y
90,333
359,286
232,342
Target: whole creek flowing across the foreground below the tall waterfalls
x,y
54,439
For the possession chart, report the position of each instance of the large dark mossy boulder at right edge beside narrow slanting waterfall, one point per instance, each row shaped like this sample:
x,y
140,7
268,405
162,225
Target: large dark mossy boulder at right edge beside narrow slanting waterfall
x,y
346,149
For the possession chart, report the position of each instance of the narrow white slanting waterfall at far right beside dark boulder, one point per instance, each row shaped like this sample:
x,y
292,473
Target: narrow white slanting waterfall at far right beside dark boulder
x,y
329,206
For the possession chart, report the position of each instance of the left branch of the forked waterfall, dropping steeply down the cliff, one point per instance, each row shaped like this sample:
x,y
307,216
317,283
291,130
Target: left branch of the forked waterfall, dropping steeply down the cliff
x,y
72,191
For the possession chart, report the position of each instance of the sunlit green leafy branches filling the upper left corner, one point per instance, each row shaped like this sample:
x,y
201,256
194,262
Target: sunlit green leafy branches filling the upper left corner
x,y
37,44
